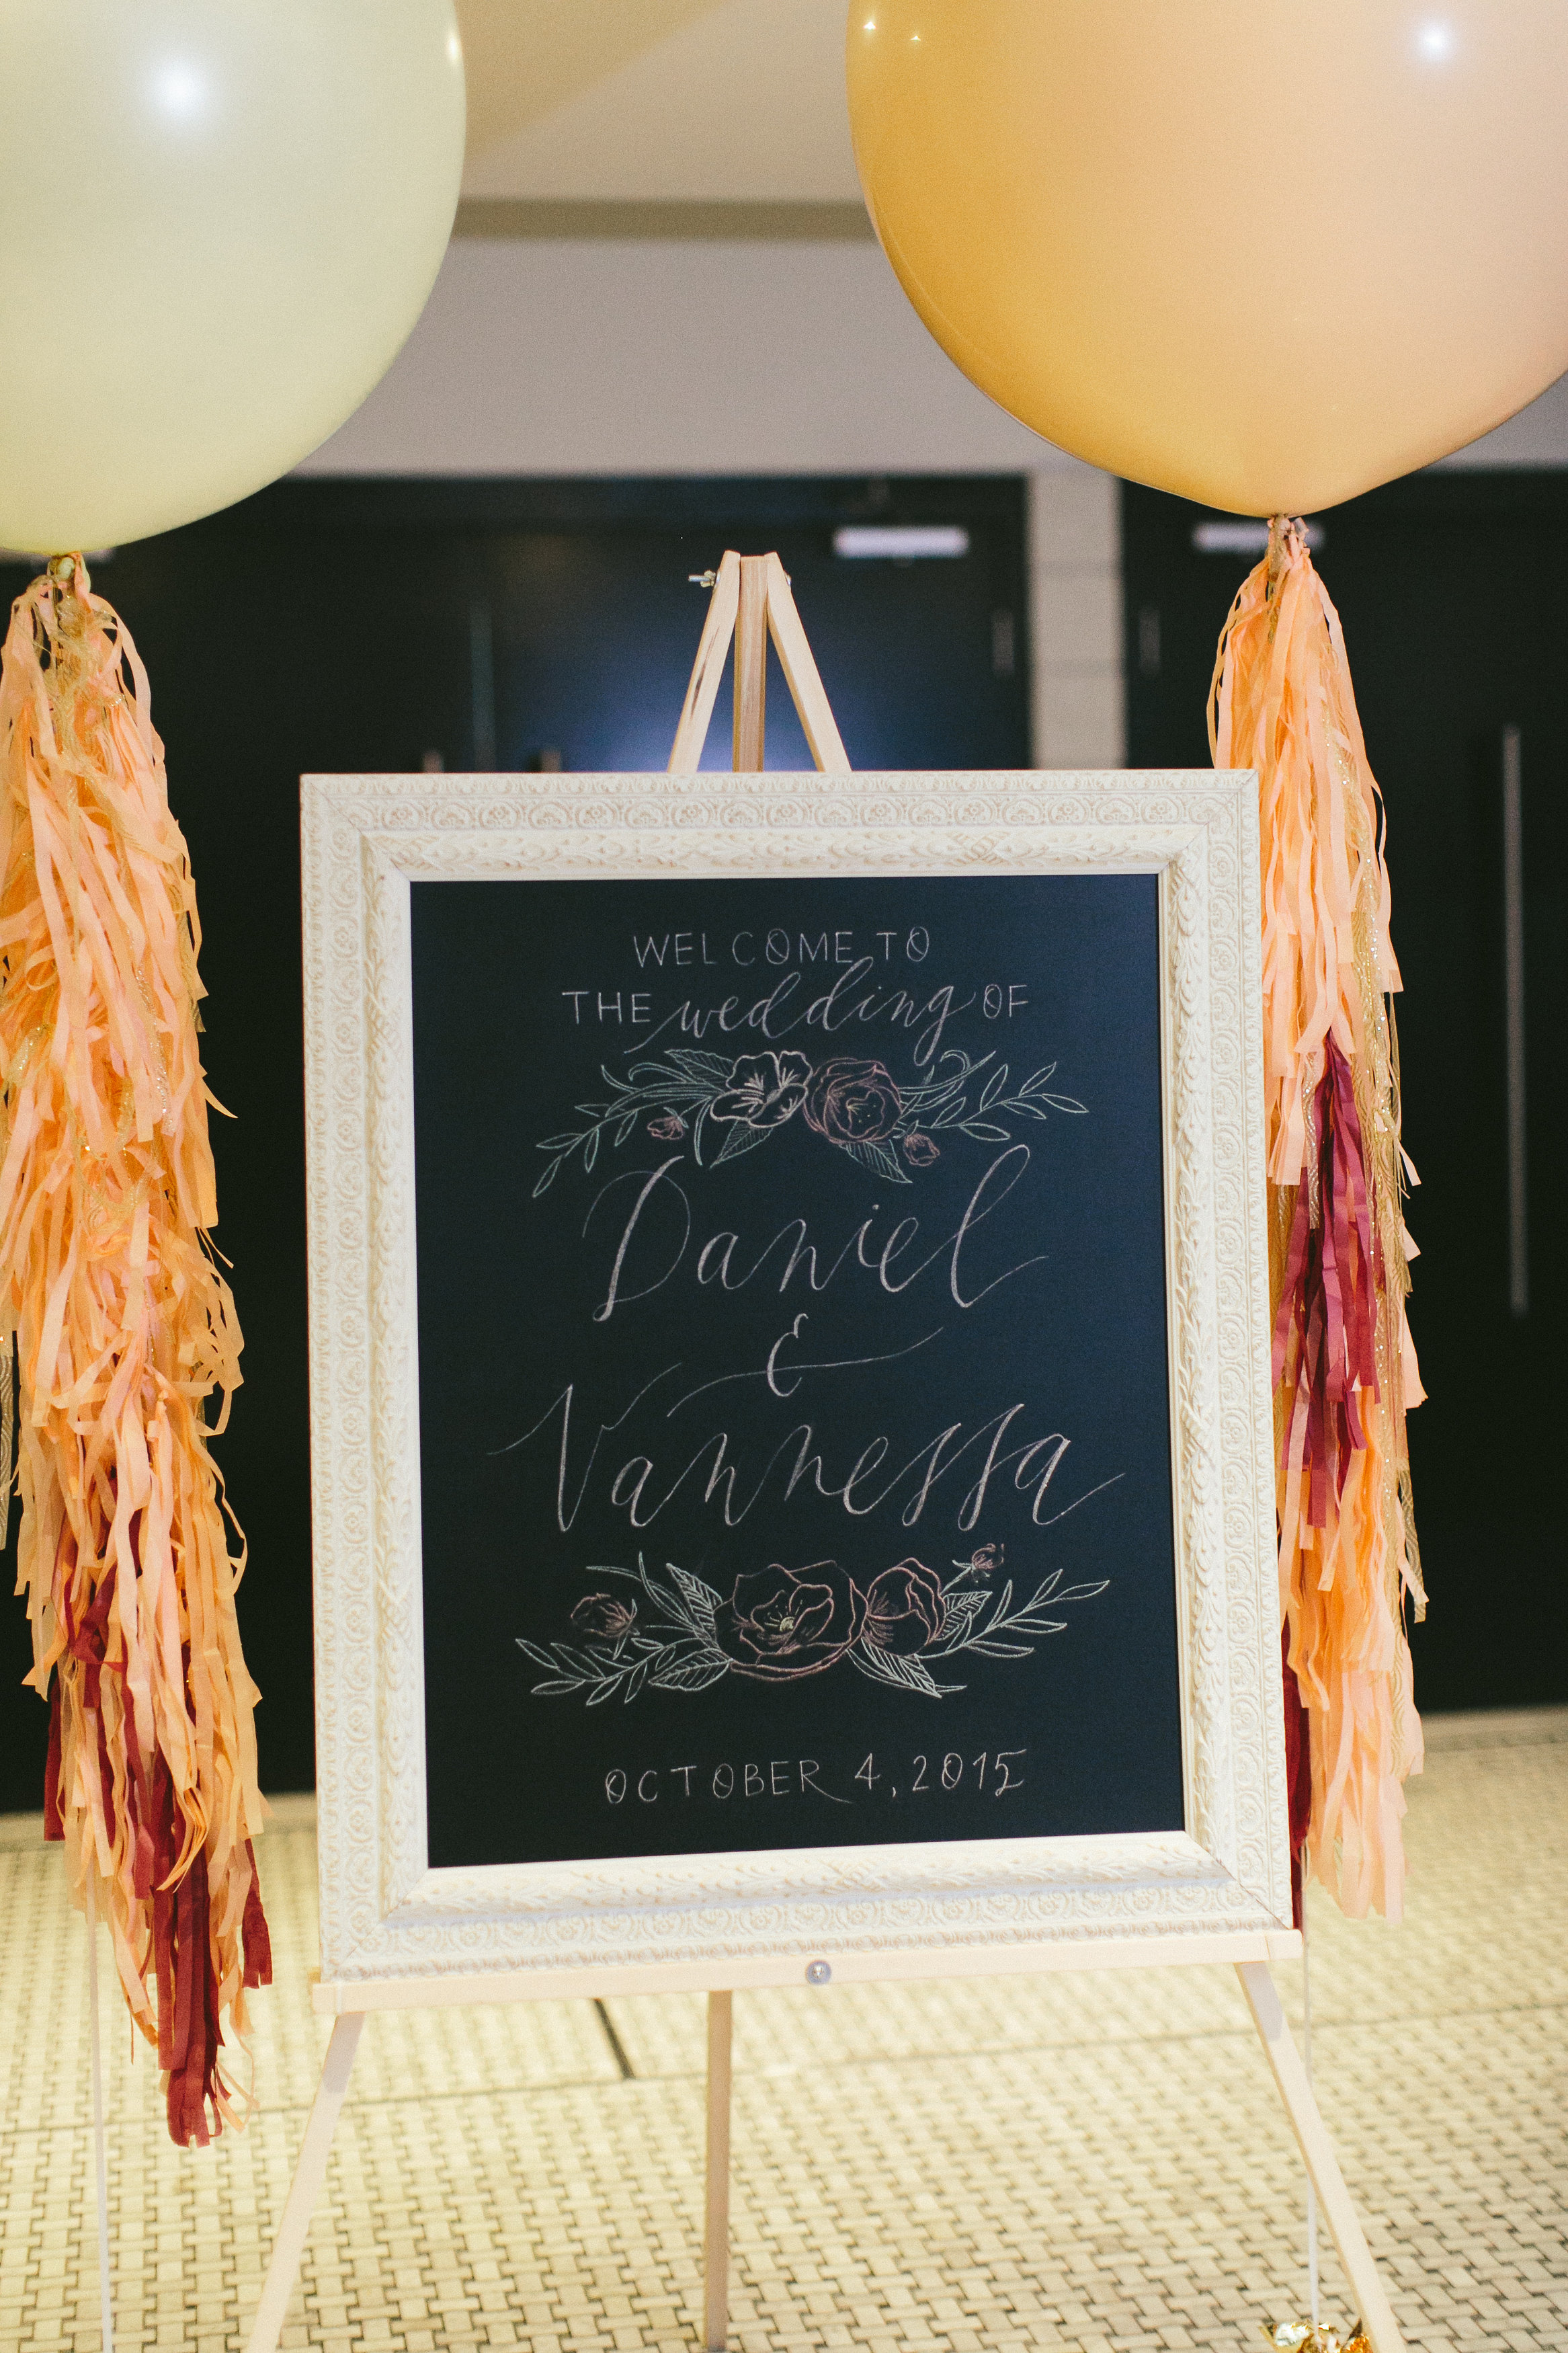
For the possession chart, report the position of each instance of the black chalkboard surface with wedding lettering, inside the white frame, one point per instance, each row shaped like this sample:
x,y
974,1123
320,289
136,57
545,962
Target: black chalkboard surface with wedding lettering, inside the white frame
x,y
793,1378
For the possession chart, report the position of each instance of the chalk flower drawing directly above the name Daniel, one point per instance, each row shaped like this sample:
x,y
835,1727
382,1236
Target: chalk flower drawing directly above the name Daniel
x,y
859,1107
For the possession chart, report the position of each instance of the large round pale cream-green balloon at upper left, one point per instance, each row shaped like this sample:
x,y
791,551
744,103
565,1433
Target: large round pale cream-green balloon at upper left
x,y
217,225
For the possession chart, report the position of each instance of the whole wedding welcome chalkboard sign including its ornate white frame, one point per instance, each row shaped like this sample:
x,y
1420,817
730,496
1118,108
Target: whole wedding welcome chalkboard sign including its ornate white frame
x,y
789,1373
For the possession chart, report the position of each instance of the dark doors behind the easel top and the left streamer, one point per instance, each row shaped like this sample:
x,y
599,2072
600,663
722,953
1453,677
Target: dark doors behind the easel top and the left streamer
x,y
471,625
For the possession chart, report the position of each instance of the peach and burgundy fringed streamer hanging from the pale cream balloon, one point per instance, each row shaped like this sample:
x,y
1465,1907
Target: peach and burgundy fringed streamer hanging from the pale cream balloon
x,y
123,1328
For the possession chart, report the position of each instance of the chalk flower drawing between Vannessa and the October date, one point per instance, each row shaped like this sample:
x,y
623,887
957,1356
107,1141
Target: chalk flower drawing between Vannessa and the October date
x,y
899,1627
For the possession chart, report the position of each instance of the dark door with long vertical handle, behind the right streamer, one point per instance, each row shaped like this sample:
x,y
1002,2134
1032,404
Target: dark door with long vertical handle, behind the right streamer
x,y
1456,622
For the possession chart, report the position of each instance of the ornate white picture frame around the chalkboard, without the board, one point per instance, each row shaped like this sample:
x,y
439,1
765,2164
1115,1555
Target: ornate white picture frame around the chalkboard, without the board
x,y
396,1931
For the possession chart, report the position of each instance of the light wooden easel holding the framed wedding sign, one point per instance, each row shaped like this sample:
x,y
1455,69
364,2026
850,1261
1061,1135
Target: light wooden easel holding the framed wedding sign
x,y
751,601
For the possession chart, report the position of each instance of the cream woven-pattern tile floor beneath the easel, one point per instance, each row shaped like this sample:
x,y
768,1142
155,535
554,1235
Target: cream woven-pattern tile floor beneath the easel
x,y
1092,2164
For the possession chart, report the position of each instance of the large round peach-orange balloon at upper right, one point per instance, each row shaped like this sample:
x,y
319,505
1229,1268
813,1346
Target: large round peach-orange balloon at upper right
x,y
1257,253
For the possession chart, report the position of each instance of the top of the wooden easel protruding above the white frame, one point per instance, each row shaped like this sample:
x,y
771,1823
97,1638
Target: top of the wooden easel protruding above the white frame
x,y
751,604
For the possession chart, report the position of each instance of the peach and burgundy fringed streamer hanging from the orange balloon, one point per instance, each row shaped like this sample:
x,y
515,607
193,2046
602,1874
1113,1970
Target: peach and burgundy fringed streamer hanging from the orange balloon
x,y
1339,1246
